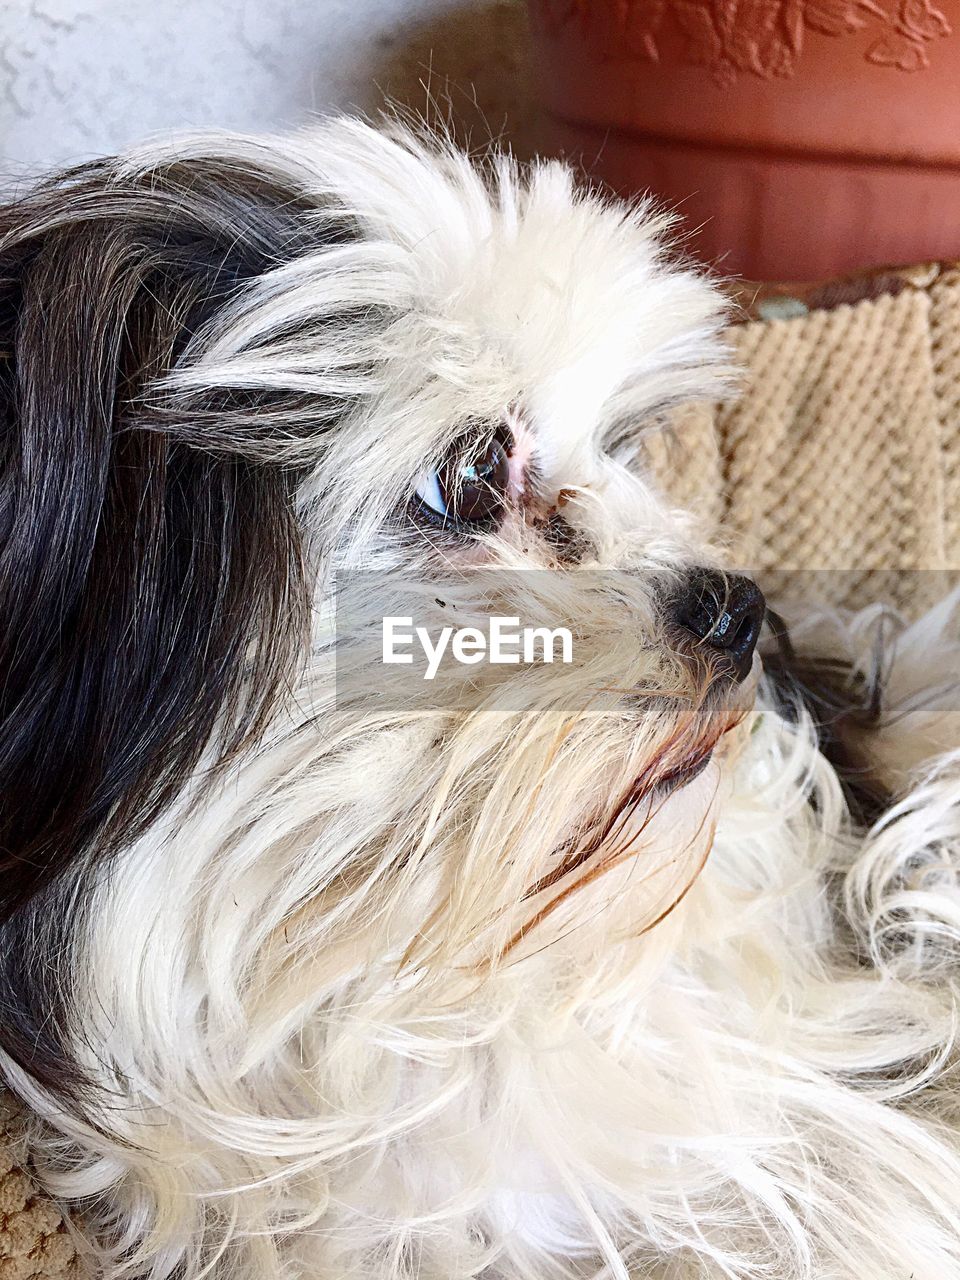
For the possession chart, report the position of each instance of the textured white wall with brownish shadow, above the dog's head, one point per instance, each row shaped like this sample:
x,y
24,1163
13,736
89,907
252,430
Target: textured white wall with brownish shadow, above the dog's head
x,y
88,77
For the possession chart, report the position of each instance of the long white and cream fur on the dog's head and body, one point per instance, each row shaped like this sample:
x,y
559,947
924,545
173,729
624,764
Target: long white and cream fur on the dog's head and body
x,y
328,1054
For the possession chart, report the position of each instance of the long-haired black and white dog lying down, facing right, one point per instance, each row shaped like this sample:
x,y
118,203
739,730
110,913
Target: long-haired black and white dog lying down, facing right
x,y
638,966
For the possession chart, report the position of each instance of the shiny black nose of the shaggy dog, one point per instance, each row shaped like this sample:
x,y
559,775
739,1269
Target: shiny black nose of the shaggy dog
x,y
725,611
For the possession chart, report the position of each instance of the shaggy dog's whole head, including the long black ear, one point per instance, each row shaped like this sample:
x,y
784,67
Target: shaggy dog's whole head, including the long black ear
x,y
281,371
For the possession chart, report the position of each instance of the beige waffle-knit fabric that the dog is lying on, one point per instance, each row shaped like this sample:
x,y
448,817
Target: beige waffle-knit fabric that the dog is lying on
x,y
836,476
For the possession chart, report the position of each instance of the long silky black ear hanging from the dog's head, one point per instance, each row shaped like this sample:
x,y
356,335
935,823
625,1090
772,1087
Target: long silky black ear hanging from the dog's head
x,y
150,586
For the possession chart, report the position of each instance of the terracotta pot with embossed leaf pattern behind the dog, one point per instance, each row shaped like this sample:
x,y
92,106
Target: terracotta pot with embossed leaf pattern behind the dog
x,y
804,138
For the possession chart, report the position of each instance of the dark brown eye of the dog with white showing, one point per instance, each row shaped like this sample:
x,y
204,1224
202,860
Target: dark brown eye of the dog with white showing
x,y
469,490
